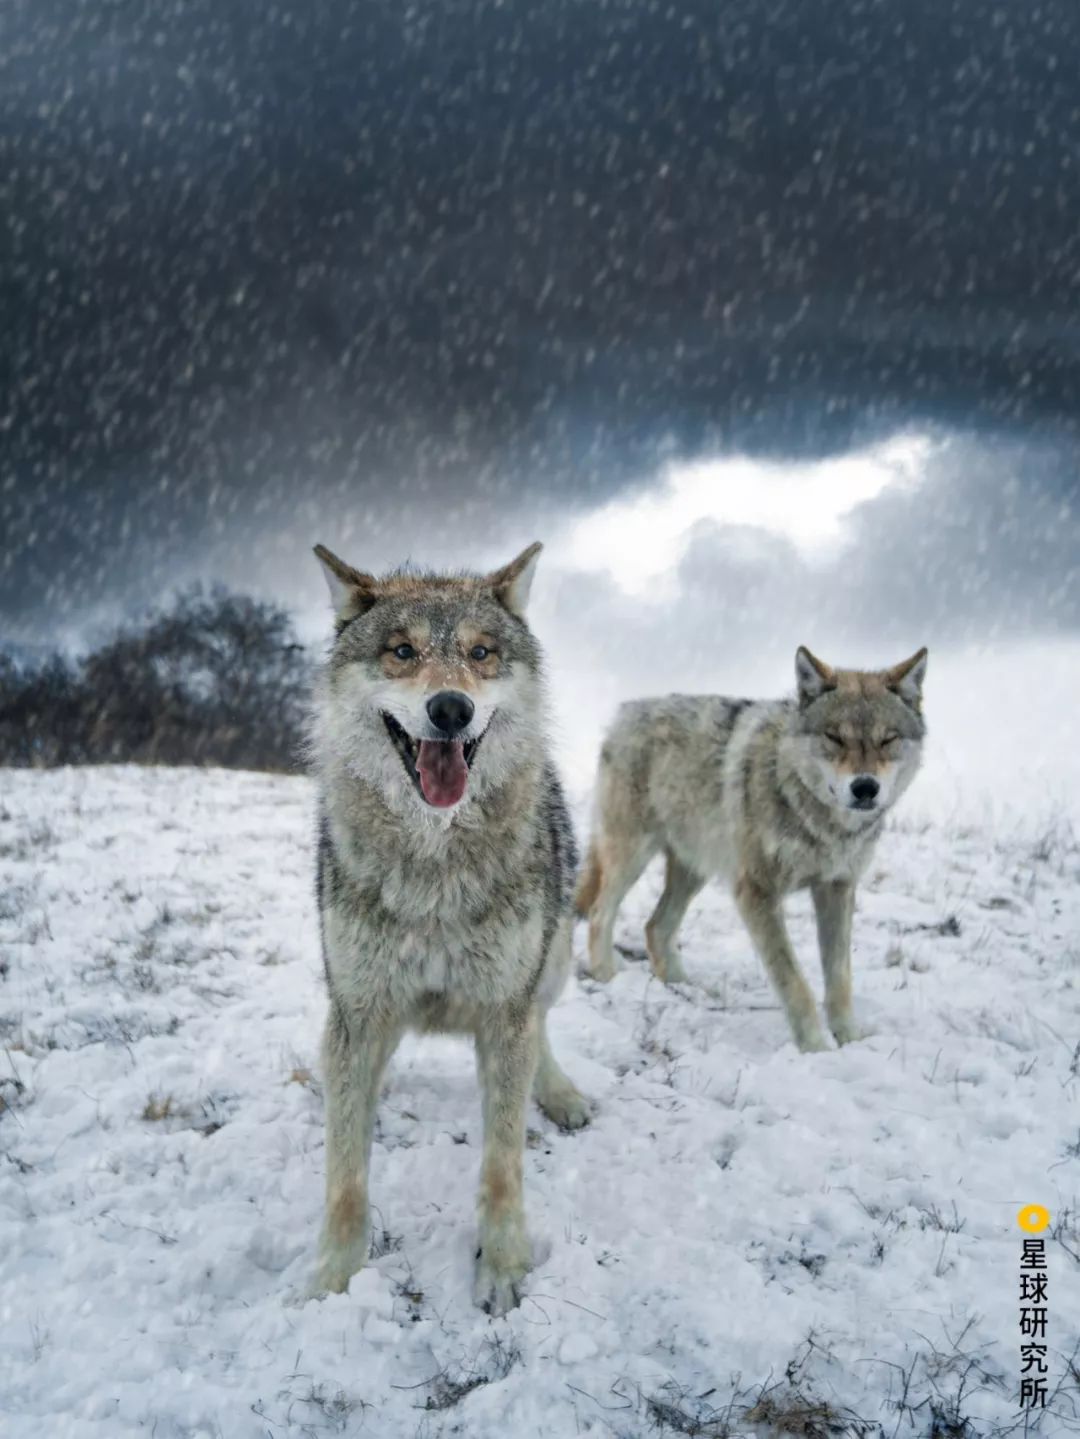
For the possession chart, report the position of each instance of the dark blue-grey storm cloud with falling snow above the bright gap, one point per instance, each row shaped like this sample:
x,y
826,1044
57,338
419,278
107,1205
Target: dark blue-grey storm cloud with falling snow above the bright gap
x,y
424,265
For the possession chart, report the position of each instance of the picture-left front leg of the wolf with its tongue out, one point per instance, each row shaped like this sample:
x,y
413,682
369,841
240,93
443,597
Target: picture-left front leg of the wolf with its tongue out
x,y
354,1056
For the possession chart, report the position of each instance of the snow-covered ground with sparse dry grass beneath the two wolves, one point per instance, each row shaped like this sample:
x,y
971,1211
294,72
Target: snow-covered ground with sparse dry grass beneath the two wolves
x,y
747,1241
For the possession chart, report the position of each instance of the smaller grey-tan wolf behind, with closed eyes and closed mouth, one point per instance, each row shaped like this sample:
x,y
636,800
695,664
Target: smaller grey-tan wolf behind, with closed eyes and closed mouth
x,y
772,796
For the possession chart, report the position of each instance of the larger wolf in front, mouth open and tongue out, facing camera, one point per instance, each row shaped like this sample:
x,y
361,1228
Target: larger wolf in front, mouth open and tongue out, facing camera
x,y
447,867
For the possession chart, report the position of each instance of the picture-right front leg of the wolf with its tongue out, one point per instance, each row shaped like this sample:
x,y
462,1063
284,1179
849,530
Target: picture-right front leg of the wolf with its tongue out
x,y
507,1050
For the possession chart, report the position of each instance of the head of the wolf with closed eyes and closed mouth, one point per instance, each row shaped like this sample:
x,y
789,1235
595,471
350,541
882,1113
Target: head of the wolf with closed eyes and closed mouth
x,y
859,733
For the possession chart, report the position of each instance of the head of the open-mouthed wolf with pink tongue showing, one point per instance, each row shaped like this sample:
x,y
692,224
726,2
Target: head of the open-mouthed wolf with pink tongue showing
x,y
434,689
